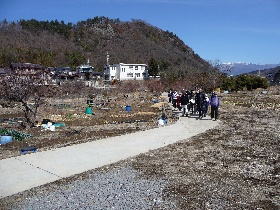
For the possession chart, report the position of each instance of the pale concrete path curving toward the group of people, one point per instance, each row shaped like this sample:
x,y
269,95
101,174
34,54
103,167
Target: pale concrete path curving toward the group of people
x,y
27,171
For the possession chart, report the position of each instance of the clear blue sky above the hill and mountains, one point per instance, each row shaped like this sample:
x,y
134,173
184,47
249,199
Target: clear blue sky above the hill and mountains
x,y
216,30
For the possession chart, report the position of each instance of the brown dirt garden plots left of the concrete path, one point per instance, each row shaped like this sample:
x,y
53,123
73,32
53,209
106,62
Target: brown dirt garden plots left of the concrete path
x,y
109,117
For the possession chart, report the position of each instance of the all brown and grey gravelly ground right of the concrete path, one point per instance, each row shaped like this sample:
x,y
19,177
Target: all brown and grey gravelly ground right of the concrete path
x,y
234,166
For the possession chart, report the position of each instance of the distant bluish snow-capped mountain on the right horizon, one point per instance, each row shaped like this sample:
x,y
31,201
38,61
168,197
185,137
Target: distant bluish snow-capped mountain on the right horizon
x,y
238,68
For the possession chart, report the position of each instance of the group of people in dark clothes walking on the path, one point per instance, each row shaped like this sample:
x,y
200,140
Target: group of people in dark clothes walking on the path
x,y
195,102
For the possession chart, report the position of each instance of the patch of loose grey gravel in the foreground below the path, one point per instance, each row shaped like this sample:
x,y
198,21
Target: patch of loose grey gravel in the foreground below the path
x,y
118,188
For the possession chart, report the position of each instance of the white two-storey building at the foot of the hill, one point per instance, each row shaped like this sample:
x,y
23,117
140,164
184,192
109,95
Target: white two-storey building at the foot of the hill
x,y
124,71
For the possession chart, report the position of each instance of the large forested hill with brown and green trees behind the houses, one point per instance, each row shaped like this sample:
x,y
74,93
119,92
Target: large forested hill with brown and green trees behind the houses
x,y
53,43
